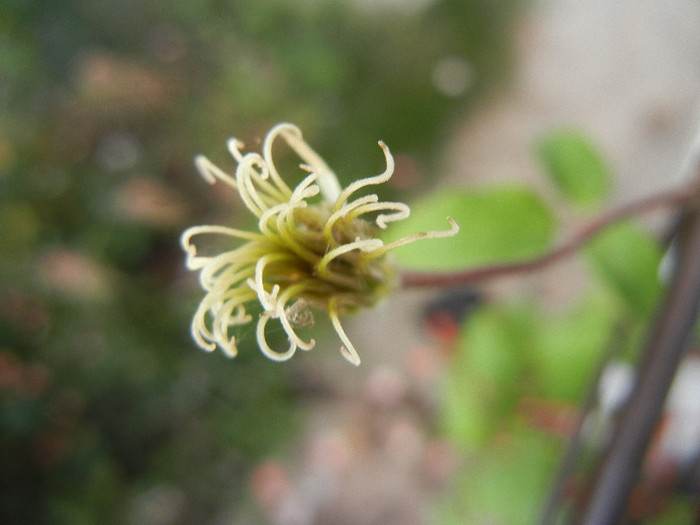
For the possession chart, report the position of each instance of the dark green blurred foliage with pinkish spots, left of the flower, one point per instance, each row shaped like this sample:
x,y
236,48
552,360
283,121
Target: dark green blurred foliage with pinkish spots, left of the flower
x,y
108,413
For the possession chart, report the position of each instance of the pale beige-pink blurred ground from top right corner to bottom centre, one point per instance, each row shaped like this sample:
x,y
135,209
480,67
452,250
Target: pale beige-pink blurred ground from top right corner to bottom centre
x,y
628,74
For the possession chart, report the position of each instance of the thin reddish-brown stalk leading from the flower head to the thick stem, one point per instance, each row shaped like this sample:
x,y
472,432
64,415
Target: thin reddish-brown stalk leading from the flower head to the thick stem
x,y
479,274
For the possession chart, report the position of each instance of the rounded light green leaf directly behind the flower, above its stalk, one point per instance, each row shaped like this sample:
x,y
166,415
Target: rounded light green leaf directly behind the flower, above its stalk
x,y
496,225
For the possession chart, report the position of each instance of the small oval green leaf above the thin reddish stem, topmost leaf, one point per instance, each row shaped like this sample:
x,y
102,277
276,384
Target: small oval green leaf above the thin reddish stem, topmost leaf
x,y
575,166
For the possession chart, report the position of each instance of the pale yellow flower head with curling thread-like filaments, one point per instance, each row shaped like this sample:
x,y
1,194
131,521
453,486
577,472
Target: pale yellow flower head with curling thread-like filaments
x,y
315,248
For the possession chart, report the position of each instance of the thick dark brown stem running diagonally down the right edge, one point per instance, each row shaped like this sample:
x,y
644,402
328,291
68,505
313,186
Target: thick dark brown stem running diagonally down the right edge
x,y
665,348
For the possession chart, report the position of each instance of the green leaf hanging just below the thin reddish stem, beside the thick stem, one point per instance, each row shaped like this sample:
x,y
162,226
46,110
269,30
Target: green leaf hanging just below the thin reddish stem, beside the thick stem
x,y
627,260
